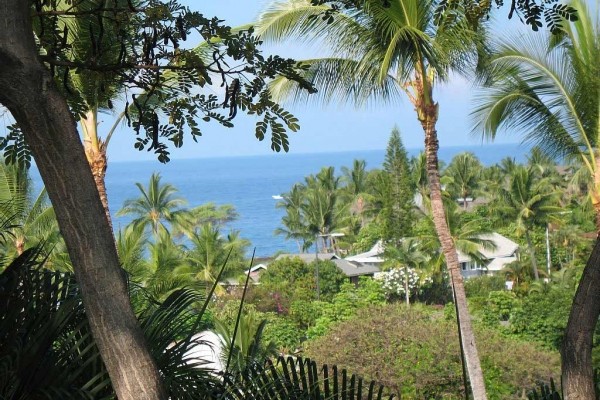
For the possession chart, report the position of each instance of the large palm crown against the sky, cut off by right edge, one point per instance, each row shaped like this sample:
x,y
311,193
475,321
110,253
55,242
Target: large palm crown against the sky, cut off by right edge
x,y
547,87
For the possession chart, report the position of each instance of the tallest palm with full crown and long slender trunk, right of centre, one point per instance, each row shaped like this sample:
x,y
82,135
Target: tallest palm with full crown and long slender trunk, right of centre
x,y
382,50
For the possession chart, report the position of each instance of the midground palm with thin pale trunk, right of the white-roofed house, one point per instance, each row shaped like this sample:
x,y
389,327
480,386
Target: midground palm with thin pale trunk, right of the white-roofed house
x,y
531,203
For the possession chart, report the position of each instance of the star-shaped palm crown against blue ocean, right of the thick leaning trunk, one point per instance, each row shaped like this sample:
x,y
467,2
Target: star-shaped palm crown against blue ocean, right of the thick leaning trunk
x,y
158,207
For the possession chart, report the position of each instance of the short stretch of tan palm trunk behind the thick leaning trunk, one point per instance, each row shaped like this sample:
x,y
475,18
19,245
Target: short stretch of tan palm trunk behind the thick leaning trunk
x,y
95,152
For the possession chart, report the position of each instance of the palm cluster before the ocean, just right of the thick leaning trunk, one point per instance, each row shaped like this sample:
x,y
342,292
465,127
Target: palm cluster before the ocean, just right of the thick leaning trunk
x,y
167,246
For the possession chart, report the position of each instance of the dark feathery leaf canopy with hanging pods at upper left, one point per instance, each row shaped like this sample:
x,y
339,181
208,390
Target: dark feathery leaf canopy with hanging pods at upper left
x,y
165,87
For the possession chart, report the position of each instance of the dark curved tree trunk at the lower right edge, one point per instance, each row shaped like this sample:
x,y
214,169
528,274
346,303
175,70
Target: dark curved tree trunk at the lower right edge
x,y
576,352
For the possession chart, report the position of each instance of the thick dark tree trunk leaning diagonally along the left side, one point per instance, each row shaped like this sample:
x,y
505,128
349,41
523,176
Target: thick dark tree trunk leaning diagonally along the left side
x,y
28,91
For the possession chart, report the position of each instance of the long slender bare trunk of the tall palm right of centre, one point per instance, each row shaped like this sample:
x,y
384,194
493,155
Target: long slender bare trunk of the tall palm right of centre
x,y
427,111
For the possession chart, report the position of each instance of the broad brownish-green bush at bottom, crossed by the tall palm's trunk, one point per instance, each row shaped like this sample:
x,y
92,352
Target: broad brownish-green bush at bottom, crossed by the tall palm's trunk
x,y
416,351
